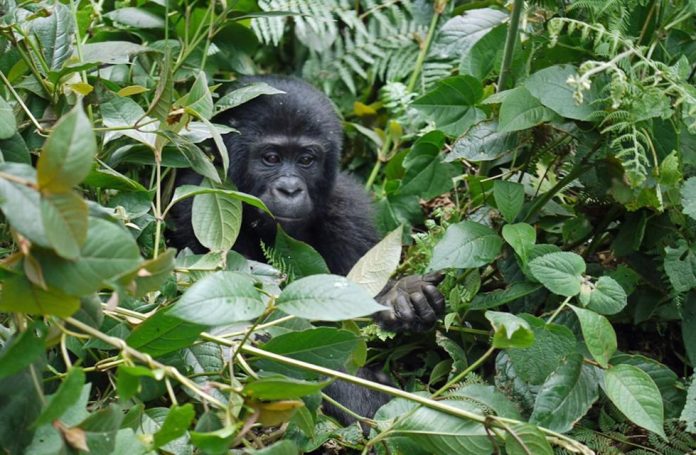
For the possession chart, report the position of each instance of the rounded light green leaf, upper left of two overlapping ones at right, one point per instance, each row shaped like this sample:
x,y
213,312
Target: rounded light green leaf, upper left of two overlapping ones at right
x,y
561,272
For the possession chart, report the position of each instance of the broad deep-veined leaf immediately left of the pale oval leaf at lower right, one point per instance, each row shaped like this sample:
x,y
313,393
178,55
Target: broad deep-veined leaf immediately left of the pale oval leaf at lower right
x,y
566,395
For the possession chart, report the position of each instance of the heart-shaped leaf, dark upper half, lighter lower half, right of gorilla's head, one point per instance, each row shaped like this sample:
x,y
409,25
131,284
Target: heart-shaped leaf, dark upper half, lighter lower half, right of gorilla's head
x,y
451,104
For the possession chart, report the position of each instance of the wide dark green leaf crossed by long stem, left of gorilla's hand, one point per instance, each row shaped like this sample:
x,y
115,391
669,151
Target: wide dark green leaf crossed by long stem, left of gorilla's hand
x,y
324,346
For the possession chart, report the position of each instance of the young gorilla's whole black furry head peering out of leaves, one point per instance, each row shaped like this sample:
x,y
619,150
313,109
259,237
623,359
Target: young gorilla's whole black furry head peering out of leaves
x,y
287,149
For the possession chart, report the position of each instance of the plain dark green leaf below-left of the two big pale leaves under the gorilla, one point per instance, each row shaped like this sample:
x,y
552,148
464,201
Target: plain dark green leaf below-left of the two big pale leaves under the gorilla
x,y
161,334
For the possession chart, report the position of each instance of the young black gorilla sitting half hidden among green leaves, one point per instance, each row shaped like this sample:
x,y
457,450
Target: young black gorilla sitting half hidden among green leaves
x,y
287,154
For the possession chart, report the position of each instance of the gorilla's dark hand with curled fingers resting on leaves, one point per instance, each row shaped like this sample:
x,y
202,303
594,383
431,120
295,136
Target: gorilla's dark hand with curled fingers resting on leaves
x,y
414,303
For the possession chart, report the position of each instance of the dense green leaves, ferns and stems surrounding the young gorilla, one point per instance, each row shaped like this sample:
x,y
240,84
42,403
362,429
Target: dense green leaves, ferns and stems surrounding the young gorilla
x,y
543,153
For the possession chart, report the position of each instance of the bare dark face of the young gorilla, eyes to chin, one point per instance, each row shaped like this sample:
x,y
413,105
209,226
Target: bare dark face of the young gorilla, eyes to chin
x,y
288,172
